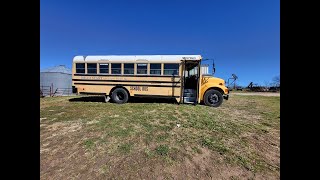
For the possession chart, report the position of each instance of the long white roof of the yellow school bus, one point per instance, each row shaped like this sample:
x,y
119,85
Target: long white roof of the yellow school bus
x,y
150,58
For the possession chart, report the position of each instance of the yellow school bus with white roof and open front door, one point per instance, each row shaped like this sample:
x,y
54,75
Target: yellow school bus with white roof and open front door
x,y
170,76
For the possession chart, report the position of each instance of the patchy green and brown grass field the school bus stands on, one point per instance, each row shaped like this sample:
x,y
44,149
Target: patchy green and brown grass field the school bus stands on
x,y
85,138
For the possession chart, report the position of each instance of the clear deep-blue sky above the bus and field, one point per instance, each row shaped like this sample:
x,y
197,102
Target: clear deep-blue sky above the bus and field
x,y
242,36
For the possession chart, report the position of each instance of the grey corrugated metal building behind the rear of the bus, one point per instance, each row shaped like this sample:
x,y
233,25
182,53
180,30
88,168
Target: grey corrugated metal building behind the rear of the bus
x,y
56,81
